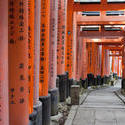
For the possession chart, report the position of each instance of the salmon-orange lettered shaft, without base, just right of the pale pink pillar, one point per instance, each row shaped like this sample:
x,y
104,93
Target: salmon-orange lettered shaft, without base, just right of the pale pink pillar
x,y
61,42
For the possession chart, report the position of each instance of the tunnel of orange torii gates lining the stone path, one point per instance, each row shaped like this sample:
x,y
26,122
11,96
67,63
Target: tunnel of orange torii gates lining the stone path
x,y
42,47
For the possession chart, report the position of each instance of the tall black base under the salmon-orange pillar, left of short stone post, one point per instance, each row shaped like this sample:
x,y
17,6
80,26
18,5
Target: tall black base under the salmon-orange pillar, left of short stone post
x,y
62,87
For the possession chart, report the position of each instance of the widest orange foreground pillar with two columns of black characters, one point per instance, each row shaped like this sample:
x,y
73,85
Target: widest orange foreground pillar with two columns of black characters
x,y
18,62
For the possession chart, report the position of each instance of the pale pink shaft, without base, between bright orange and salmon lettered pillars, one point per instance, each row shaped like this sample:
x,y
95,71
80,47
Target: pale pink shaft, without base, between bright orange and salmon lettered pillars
x,y
53,43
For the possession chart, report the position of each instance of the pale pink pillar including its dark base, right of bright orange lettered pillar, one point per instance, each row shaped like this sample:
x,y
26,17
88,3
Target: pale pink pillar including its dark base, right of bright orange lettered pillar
x,y
53,56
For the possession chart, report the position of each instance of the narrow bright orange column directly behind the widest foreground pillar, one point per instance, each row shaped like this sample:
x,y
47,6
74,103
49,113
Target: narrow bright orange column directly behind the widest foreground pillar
x,y
31,52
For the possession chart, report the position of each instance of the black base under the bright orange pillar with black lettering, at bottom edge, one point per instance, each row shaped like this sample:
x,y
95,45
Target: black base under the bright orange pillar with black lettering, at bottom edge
x,y
46,109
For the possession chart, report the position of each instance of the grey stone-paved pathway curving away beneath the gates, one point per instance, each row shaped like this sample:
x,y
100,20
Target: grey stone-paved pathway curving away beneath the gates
x,y
102,107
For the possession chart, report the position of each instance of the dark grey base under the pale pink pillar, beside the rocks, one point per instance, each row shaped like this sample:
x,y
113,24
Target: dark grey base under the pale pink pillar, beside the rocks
x,y
54,101
